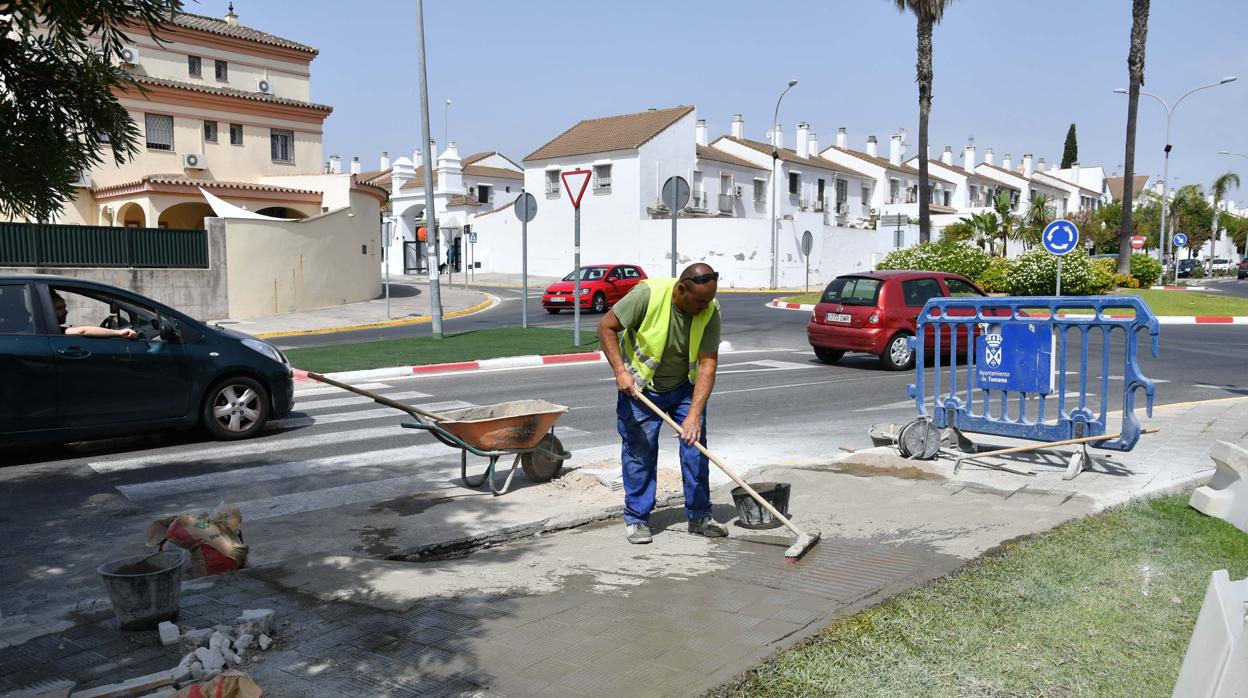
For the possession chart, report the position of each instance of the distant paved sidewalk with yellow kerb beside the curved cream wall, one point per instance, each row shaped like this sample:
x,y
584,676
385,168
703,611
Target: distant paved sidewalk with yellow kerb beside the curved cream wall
x,y
409,304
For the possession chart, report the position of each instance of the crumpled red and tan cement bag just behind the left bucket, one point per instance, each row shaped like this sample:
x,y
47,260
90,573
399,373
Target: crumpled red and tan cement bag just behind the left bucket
x,y
215,543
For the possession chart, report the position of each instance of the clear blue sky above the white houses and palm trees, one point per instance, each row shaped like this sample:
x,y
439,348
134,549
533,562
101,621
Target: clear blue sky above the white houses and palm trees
x,y
1012,73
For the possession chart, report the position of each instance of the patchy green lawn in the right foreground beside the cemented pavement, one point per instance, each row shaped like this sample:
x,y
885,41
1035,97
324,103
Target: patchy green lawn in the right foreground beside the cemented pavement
x,y
1104,606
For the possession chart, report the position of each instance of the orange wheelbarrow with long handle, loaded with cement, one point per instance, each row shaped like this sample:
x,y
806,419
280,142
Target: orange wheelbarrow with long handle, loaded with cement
x,y
524,429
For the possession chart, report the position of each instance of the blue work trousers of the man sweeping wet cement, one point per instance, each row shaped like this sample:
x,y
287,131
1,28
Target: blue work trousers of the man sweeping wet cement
x,y
641,429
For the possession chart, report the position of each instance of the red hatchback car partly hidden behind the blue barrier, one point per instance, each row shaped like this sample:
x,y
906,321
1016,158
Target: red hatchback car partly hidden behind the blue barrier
x,y
878,312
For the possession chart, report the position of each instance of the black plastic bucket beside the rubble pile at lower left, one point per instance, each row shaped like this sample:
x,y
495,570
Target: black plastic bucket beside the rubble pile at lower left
x,y
145,590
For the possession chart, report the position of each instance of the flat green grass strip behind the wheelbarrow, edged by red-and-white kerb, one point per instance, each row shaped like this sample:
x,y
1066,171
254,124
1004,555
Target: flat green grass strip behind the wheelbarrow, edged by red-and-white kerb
x,y
465,347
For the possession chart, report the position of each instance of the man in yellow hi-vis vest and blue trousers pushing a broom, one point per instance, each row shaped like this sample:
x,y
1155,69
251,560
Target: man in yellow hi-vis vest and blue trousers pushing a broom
x,y
663,338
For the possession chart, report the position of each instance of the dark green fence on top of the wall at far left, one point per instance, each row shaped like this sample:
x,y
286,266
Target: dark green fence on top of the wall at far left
x,y
97,247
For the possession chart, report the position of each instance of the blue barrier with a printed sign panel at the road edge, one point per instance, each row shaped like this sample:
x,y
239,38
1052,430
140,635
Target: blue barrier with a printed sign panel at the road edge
x,y
1009,359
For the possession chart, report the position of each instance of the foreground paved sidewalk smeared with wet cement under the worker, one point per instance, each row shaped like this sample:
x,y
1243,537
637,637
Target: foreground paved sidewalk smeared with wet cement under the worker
x,y
537,592
